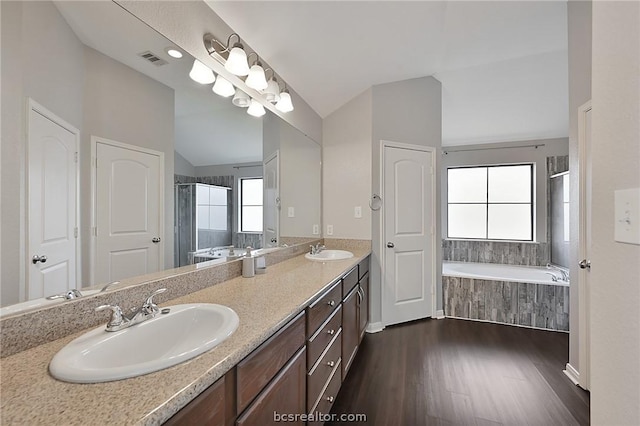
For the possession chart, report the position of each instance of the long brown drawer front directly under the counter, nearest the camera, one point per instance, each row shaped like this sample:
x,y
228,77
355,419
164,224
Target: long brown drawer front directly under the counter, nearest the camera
x,y
259,367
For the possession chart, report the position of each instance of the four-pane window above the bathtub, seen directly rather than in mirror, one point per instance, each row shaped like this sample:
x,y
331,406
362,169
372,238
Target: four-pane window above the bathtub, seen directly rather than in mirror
x,y
490,202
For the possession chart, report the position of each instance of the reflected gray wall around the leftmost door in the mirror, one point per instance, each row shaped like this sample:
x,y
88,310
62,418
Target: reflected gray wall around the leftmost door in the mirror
x,y
26,28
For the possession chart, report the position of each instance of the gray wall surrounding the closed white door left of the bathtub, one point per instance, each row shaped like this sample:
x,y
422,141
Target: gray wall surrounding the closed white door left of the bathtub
x,y
408,111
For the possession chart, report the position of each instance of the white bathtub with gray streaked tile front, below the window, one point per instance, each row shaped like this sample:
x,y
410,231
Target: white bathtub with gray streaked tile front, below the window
x,y
506,294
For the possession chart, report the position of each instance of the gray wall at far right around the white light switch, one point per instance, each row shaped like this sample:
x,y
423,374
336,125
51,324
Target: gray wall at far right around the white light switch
x,y
614,290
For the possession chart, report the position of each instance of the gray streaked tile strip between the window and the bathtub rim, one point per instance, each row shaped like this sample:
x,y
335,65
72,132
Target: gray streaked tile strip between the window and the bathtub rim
x,y
504,252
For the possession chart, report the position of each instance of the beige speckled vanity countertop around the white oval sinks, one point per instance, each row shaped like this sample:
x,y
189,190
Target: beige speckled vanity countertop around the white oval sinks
x,y
28,395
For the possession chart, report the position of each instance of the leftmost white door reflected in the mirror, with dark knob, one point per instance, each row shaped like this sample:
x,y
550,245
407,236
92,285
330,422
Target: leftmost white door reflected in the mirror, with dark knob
x,y
52,204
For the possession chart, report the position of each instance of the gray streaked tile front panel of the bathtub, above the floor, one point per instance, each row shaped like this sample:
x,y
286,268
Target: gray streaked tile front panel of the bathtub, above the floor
x,y
526,304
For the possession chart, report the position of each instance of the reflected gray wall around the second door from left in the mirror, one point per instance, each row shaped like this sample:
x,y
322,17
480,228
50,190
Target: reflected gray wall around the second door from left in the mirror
x,y
124,105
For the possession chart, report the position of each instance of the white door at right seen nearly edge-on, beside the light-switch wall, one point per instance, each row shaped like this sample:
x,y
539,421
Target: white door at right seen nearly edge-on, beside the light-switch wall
x,y
584,289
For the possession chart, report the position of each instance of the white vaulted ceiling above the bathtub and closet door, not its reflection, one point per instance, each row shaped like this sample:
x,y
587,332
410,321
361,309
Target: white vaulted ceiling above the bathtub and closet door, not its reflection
x,y
503,65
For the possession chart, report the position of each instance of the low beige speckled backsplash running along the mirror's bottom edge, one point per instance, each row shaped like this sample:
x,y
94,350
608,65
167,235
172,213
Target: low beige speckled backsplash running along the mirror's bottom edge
x,y
27,330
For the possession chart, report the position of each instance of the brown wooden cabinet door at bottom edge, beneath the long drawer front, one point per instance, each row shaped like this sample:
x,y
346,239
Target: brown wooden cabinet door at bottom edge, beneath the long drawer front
x,y
285,395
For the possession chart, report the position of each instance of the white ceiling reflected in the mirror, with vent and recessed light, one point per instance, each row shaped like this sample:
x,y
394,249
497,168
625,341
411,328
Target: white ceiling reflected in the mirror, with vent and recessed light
x,y
209,130
